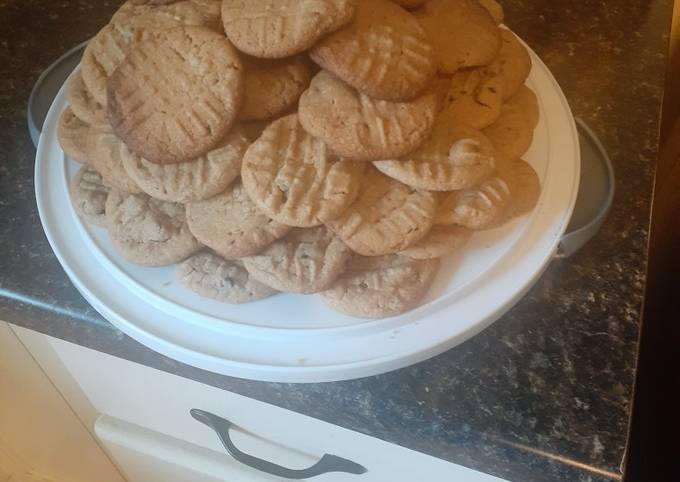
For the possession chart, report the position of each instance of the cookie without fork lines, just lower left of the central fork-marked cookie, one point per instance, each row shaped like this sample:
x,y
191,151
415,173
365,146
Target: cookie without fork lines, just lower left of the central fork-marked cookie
x,y
232,225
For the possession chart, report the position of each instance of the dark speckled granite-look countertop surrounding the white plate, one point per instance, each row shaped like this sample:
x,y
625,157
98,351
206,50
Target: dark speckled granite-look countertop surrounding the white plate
x,y
545,393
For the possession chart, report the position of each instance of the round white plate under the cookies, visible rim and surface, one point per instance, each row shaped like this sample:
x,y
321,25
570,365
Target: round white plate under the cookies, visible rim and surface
x,y
294,338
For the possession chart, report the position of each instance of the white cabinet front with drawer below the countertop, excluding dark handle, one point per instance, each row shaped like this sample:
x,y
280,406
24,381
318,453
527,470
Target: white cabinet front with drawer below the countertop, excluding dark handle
x,y
141,416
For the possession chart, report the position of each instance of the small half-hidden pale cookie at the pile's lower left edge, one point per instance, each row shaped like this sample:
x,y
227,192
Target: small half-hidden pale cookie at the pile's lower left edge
x,y
88,195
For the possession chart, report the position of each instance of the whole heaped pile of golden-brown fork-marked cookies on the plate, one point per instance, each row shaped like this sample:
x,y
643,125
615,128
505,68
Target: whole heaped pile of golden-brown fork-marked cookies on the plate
x,y
338,147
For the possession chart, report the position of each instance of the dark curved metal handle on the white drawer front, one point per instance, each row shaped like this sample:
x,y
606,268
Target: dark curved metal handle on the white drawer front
x,y
327,463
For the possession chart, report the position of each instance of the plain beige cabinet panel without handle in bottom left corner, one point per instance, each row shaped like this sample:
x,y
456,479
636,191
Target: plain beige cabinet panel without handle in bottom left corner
x,y
41,439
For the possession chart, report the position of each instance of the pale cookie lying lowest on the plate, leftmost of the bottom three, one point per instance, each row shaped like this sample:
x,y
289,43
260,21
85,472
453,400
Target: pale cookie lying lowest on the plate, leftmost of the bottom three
x,y
220,279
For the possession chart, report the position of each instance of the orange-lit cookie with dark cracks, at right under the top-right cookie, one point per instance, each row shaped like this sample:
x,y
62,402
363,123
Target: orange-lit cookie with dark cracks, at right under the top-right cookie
x,y
473,99
